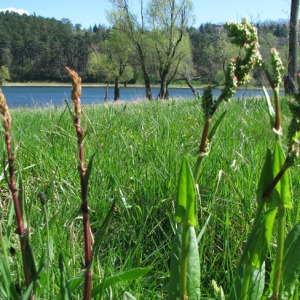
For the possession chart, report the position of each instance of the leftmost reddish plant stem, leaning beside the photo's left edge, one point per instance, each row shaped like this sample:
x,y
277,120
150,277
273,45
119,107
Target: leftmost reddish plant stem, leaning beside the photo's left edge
x,y
14,191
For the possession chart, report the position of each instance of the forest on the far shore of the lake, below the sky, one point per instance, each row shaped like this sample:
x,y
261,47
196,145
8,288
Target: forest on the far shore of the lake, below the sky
x,y
34,48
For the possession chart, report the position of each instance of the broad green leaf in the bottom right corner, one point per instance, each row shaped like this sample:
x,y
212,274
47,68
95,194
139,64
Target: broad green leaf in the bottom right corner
x,y
291,263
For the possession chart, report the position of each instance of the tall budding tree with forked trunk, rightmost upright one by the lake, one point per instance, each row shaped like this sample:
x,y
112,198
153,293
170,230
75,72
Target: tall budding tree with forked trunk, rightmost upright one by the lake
x,y
168,21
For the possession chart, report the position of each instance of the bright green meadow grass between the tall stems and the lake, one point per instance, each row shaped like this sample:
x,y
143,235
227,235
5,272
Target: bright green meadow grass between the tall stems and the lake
x,y
142,145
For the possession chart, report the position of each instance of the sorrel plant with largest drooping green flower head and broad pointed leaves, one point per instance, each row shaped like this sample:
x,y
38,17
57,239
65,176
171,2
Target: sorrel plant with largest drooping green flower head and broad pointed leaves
x,y
185,261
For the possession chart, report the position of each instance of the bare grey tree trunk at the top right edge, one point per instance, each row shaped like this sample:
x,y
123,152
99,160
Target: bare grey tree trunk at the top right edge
x,y
290,79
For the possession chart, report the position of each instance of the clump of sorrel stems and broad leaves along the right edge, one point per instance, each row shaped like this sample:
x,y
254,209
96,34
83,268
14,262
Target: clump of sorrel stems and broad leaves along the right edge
x,y
274,197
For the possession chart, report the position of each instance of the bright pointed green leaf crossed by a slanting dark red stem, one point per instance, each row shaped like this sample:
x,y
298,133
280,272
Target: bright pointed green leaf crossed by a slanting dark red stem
x,y
283,186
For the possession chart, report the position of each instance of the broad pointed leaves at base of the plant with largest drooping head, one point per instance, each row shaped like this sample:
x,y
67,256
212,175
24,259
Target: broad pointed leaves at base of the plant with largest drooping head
x,y
185,263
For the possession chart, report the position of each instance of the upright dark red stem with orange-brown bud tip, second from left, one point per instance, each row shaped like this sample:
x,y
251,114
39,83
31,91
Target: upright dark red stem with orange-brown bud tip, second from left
x,y
76,92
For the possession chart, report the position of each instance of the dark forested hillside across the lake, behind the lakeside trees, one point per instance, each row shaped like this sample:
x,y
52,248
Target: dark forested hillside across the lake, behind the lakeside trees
x,y
37,49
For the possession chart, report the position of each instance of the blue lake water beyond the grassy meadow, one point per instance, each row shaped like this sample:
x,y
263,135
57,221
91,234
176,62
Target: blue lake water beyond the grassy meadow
x,y
44,96
